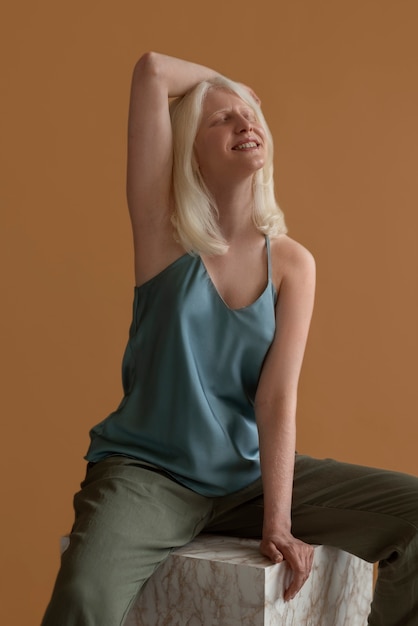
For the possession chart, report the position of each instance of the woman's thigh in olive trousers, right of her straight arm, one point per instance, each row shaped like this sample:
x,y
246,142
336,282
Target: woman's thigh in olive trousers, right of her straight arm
x,y
365,511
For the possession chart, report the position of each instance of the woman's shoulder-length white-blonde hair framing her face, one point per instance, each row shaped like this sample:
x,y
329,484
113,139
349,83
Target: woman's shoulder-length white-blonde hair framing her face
x,y
195,213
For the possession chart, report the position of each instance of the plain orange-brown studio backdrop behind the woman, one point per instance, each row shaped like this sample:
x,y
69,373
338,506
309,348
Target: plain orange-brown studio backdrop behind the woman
x,y
338,83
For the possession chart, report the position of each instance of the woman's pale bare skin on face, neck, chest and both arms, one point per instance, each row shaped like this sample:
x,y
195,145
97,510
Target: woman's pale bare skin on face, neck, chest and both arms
x,y
240,274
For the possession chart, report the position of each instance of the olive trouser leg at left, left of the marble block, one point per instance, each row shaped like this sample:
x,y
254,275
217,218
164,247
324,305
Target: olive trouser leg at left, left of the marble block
x,y
127,521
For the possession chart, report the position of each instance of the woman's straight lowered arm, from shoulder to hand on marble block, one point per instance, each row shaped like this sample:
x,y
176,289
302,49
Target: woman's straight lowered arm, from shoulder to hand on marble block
x,y
276,408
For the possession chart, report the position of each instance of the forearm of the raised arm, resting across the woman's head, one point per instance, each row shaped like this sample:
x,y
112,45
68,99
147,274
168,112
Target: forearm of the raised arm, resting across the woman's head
x,y
174,75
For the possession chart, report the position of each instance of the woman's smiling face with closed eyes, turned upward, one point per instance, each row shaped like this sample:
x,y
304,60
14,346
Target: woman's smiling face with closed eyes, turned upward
x,y
230,141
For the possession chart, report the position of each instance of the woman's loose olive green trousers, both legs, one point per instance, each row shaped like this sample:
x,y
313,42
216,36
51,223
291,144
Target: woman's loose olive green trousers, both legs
x,y
128,519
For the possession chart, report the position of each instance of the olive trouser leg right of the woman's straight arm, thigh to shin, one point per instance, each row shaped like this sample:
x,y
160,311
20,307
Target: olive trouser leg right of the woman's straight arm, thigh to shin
x,y
368,512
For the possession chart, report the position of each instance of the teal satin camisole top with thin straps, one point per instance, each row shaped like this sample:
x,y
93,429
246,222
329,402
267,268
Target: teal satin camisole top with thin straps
x,y
190,373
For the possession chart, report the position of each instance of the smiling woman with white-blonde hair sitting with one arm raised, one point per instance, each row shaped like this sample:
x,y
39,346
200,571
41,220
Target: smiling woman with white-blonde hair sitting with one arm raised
x,y
204,437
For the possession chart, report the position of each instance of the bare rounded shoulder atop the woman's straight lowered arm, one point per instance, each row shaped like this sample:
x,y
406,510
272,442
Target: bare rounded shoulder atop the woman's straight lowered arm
x,y
291,259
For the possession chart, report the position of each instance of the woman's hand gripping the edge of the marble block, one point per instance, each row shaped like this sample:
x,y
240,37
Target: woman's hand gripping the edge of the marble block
x,y
297,554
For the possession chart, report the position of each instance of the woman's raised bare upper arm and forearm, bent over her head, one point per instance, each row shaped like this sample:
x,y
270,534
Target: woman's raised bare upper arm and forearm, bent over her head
x,y
156,78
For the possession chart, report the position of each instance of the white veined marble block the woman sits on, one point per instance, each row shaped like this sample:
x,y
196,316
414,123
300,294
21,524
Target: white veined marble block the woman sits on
x,y
224,581
